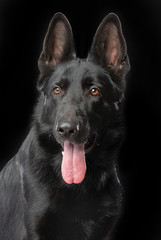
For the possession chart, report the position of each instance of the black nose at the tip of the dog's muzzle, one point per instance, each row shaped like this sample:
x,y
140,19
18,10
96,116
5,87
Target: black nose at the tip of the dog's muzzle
x,y
67,129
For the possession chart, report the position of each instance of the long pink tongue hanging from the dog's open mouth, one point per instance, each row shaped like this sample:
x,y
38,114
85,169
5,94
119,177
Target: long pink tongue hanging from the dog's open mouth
x,y
73,165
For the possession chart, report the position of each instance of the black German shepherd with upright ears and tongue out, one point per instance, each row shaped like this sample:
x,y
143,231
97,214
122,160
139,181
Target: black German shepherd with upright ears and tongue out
x,y
62,184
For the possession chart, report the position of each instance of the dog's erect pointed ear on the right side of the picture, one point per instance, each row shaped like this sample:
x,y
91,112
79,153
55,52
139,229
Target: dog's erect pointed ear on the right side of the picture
x,y
109,46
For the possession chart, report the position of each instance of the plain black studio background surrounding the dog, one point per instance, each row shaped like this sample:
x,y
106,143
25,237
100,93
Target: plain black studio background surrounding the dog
x,y
23,25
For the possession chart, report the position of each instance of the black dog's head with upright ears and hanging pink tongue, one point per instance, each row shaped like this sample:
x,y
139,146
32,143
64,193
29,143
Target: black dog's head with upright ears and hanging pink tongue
x,y
79,102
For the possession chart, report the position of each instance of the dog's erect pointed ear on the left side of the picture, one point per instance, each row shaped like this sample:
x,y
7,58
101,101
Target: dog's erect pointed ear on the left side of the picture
x,y
58,43
